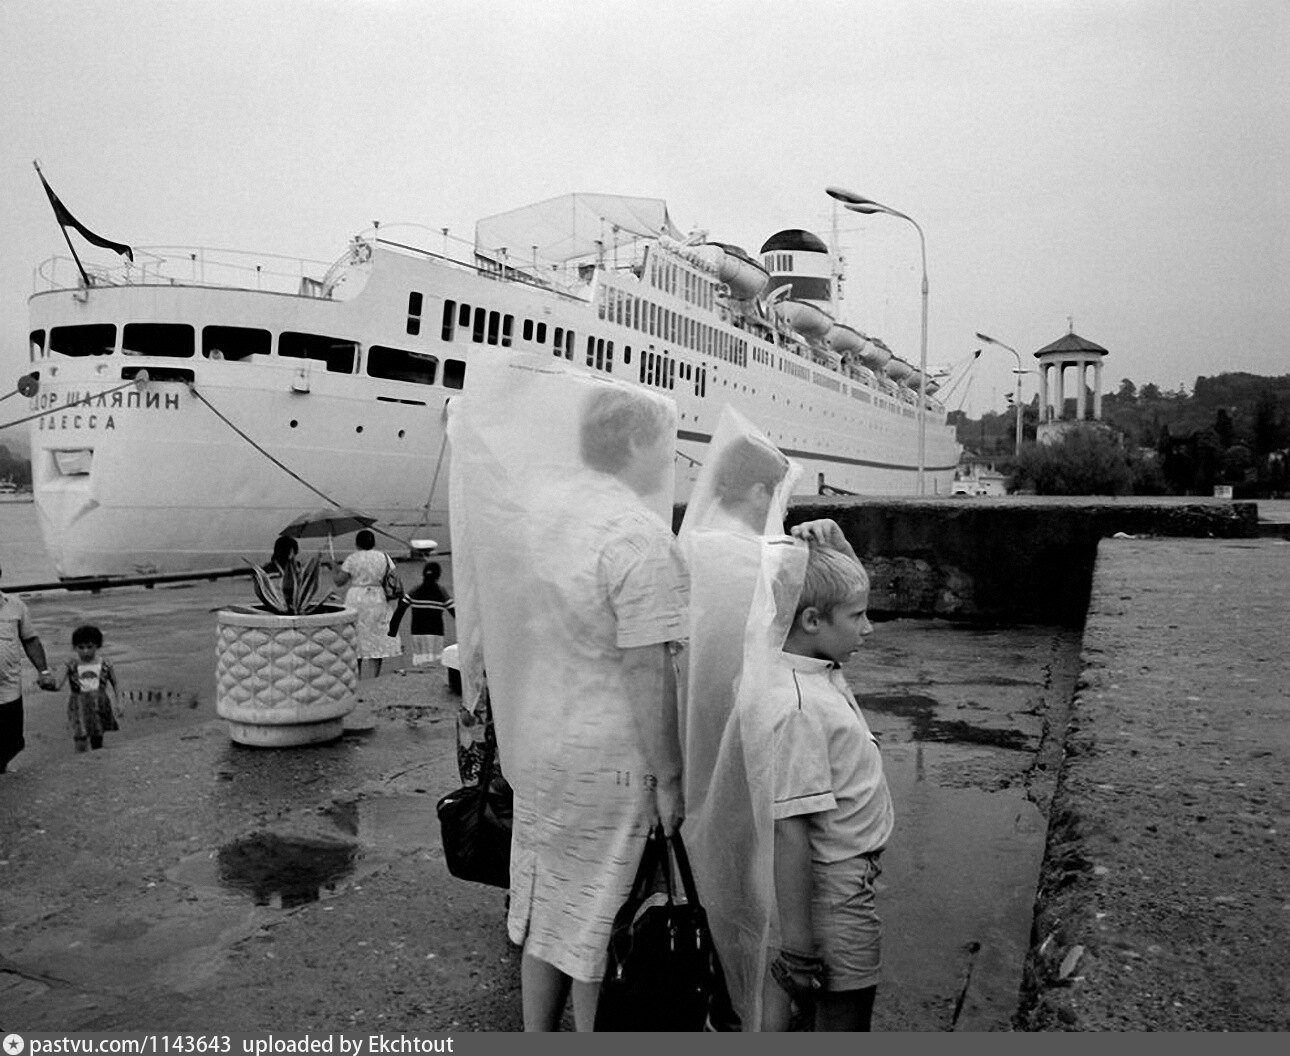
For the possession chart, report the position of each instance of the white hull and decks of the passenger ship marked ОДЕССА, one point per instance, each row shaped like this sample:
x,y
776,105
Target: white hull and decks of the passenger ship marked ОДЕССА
x,y
203,465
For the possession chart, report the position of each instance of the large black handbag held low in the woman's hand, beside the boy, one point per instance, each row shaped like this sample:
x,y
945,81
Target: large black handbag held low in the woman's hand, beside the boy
x,y
664,973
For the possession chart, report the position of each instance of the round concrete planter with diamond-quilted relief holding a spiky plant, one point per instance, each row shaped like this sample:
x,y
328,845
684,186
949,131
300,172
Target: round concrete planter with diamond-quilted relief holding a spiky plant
x,y
286,681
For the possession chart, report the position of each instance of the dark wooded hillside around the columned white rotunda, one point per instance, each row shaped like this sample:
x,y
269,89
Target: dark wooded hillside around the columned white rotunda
x,y
1231,430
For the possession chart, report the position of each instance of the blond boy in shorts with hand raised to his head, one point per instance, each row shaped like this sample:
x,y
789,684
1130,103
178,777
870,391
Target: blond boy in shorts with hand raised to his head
x,y
833,807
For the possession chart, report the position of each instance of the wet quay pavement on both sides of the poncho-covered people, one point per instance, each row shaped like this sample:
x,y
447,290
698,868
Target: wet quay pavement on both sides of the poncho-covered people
x,y
179,881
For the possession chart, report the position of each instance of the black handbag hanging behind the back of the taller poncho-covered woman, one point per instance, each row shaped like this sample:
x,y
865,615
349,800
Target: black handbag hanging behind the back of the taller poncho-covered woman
x,y
475,826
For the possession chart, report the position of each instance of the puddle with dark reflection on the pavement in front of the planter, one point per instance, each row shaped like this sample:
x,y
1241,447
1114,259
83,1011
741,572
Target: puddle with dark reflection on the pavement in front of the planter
x,y
284,871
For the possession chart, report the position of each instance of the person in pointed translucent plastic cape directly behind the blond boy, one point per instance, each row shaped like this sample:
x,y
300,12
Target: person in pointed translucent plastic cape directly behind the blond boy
x,y
744,572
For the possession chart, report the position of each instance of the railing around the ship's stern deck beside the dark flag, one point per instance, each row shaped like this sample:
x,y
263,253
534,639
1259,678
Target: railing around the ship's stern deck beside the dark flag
x,y
192,266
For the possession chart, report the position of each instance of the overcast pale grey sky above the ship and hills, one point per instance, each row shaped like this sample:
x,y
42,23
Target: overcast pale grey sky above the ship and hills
x,y
1116,167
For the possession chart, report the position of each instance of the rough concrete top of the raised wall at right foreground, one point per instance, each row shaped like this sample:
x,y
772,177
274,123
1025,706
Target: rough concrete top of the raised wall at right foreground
x,y
1166,895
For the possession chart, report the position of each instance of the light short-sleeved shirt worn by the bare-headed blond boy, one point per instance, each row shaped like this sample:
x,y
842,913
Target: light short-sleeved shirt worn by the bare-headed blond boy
x,y
828,761
